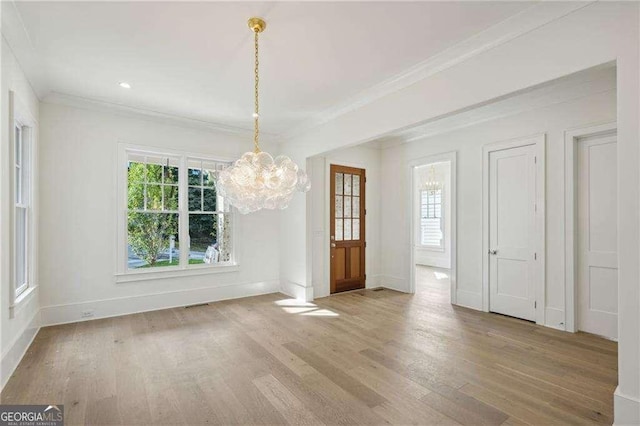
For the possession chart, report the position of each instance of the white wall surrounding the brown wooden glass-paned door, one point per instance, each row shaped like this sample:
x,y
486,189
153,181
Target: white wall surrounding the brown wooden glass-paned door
x,y
360,157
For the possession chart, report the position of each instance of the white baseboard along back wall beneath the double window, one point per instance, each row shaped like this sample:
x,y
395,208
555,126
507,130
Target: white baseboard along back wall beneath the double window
x,y
73,312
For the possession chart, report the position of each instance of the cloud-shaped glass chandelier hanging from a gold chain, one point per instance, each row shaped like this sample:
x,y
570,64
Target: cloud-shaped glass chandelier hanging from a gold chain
x,y
258,181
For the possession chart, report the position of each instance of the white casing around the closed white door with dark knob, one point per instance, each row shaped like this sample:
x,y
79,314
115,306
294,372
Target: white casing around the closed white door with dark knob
x,y
539,141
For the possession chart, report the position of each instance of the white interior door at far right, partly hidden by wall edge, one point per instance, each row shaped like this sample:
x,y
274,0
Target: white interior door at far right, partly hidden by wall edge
x,y
597,237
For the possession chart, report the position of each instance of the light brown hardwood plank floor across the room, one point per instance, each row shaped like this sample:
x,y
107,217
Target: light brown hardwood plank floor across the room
x,y
366,357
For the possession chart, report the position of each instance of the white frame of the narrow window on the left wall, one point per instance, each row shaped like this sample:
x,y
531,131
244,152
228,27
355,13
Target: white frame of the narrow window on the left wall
x,y
24,199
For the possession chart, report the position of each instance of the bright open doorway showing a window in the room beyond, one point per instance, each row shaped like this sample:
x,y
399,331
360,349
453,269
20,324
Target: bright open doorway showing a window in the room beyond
x,y
433,227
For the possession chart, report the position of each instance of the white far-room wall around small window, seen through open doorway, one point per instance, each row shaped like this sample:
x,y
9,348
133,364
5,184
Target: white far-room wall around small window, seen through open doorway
x,y
440,258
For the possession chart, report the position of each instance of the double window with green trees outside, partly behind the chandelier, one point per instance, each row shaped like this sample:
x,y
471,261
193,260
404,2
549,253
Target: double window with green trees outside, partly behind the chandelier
x,y
175,218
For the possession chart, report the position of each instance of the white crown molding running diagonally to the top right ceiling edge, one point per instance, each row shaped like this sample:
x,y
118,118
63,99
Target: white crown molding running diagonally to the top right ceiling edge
x,y
515,26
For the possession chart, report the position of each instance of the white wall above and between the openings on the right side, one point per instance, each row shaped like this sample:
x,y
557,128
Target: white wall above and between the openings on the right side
x,y
468,142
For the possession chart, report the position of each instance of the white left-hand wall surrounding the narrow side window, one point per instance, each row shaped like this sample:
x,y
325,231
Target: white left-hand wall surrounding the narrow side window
x,y
19,324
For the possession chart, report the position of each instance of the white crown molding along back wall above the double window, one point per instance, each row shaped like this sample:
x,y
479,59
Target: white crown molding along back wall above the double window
x,y
147,114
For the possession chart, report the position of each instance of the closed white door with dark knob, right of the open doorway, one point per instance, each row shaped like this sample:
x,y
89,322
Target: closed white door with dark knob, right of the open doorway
x,y
512,232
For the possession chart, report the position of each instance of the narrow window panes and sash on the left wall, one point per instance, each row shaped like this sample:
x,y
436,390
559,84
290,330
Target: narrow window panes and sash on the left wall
x,y
22,207
